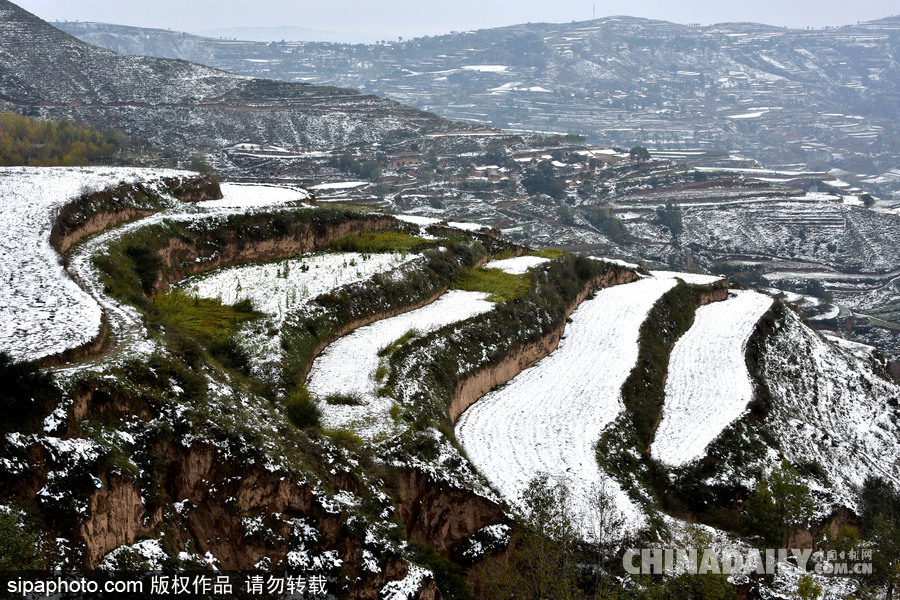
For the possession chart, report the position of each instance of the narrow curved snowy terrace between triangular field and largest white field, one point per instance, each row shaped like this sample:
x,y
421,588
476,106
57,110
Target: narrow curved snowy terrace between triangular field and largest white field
x,y
348,365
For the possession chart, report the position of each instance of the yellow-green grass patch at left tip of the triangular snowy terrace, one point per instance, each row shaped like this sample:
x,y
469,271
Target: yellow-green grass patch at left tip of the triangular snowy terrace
x,y
203,318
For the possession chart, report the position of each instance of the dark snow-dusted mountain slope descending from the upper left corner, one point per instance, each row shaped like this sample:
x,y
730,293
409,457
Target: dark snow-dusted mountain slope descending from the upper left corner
x,y
182,106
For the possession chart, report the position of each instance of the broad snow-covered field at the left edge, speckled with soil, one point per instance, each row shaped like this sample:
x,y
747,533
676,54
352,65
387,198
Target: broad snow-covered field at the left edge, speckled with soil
x,y
42,311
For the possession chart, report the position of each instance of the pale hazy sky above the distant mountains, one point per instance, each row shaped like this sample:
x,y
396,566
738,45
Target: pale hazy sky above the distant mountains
x,y
410,18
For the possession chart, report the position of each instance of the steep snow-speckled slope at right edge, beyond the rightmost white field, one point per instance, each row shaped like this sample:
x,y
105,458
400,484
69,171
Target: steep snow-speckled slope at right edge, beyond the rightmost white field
x,y
831,409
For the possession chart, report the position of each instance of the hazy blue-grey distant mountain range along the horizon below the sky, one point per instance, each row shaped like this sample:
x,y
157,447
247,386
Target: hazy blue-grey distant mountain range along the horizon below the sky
x,y
781,96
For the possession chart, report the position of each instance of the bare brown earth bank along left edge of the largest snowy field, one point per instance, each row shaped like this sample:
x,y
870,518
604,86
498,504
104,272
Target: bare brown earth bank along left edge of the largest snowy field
x,y
477,384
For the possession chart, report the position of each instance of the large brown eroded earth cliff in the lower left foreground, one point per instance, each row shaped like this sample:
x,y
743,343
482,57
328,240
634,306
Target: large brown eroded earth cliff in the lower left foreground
x,y
215,497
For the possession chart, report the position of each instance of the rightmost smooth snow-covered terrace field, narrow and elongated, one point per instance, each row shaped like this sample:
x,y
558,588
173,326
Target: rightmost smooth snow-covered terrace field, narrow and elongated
x,y
708,386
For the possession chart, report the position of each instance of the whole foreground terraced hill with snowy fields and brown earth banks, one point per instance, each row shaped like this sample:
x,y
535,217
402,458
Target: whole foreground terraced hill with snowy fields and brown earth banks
x,y
227,425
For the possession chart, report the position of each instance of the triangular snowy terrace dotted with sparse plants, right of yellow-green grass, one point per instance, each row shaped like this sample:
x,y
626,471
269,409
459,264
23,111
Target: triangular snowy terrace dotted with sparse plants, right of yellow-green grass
x,y
276,287
